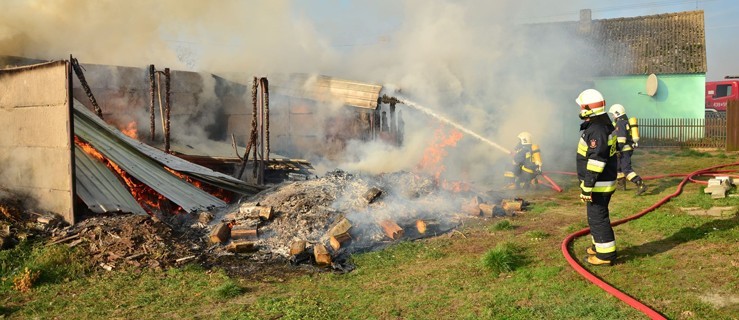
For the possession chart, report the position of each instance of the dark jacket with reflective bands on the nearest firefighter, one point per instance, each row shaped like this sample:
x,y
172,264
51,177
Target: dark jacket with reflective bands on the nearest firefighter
x,y
596,155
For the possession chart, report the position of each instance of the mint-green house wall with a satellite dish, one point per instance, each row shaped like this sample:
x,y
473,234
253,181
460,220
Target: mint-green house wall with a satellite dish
x,y
678,95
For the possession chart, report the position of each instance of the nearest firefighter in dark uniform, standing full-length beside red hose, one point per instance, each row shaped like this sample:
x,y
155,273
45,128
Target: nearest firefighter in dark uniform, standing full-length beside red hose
x,y
596,169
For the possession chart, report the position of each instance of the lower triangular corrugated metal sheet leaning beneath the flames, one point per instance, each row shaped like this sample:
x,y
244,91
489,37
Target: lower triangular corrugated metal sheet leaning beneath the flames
x,y
99,188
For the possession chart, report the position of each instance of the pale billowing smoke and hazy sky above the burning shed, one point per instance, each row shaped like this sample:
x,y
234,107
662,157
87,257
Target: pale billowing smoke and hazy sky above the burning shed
x,y
461,59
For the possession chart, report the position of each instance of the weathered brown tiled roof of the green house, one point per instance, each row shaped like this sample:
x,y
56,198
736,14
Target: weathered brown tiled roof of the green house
x,y
671,43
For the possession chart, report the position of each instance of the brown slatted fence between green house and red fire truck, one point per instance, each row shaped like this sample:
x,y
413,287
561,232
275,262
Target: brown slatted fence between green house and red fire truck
x,y
691,133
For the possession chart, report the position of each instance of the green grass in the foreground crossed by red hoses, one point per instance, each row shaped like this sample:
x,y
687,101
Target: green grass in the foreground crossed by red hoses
x,y
678,264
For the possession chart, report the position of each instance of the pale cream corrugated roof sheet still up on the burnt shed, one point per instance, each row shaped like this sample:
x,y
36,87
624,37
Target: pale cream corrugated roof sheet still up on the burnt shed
x,y
327,89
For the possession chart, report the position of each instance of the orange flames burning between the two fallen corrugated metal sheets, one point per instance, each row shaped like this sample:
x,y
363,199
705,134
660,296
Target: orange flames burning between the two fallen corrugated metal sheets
x,y
149,199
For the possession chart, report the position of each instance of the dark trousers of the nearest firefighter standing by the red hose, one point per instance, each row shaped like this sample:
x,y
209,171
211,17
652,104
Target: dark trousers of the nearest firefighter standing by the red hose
x,y
599,221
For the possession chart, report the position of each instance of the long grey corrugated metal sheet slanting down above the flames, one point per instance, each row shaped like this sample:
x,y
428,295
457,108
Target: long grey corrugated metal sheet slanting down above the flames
x,y
109,142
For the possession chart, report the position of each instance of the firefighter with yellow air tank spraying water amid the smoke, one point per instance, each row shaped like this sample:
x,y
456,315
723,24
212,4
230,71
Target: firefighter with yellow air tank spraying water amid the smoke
x,y
525,164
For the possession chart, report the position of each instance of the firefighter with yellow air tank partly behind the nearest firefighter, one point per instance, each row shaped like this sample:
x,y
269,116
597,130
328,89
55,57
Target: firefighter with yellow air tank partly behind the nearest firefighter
x,y
627,136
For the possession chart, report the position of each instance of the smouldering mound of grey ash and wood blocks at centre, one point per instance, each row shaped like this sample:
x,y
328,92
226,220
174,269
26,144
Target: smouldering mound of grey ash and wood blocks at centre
x,y
342,213
